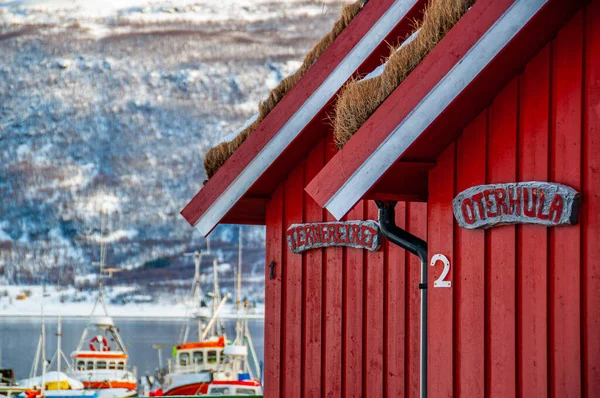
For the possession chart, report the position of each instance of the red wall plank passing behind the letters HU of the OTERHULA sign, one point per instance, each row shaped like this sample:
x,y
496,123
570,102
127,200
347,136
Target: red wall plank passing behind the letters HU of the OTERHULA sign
x,y
534,92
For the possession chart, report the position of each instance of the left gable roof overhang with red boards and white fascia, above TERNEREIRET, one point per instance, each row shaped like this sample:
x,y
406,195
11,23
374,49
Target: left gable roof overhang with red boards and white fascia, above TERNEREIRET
x,y
240,189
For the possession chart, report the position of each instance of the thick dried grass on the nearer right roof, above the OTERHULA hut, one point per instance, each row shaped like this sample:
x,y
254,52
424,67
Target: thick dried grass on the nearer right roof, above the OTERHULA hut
x,y
360,98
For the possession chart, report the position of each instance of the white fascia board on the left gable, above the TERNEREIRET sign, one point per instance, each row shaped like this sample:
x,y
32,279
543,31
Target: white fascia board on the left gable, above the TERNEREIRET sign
x,y
367,44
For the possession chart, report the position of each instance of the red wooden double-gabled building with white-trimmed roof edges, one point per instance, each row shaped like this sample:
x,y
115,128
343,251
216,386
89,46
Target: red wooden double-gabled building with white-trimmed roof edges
x,y
509,95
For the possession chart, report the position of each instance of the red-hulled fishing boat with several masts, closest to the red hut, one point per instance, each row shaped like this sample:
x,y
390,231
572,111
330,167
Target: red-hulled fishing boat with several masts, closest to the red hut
x,y
213,363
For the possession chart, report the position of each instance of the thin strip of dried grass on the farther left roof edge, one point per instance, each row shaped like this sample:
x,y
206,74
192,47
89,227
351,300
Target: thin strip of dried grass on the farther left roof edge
x,y
218,155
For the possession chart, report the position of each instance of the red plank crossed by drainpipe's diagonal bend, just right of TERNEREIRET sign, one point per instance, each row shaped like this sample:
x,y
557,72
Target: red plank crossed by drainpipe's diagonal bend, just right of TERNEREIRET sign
x,y
395,302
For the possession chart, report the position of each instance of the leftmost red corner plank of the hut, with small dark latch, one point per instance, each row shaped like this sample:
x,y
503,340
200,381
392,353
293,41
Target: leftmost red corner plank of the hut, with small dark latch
x,y
274,249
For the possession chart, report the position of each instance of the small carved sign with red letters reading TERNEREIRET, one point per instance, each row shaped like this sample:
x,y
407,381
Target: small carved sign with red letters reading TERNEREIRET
x,y
359,234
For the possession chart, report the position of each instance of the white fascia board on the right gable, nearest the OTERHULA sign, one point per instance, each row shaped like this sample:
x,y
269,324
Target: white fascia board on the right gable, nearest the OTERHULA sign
x,y
434,103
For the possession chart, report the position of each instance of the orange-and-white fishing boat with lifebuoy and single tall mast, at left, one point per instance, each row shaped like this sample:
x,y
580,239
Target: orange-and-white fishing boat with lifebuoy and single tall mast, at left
x,y
100,360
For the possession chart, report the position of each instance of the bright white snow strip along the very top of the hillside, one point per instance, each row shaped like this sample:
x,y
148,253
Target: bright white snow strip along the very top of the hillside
x,y
100,17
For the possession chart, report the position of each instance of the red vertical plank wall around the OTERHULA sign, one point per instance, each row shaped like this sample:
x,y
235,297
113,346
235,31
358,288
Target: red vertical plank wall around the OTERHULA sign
x,y
522,317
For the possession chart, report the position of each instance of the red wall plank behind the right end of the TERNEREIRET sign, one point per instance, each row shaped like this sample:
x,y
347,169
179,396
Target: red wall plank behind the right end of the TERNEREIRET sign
x,y
374,317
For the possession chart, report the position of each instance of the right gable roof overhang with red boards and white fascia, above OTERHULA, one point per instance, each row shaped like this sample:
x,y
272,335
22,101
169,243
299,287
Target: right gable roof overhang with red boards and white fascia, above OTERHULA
x,y
458,79
